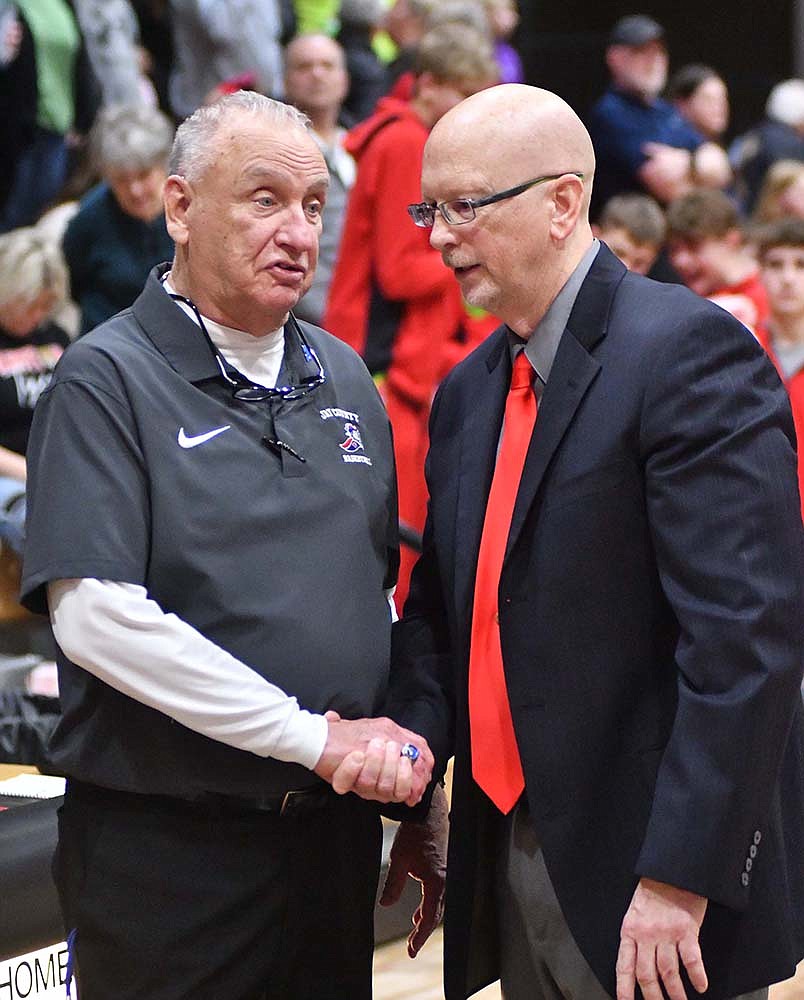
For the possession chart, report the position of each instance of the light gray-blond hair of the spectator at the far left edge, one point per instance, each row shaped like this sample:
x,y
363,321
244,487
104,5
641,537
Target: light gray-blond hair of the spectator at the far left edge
x,y
29,266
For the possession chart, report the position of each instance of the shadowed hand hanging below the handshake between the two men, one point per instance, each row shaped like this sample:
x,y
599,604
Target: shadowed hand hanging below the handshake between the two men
x,y
420,850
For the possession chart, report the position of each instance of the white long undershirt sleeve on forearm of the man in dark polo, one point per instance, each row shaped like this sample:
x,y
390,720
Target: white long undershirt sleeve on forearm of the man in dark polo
x,y
116,632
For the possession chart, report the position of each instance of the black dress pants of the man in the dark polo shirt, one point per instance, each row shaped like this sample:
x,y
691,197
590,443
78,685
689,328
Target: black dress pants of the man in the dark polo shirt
x,y
170,900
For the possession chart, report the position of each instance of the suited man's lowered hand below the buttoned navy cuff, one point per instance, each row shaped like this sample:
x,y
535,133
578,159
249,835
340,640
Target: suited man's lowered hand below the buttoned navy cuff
x,y
660,927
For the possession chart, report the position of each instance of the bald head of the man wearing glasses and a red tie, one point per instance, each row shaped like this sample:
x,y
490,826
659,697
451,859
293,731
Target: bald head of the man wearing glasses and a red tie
x,y
524,161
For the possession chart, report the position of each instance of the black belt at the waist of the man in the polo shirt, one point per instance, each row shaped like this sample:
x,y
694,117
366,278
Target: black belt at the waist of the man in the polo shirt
x,y
286,804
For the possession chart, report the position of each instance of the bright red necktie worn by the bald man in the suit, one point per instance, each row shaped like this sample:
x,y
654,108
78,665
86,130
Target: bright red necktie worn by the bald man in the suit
x,y
495,757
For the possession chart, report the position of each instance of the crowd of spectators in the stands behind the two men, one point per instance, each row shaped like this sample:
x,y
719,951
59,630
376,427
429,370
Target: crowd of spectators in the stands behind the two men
x,y
91,92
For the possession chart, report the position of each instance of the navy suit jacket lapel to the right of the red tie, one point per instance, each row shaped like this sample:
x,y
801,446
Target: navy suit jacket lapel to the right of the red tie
x,y
573,371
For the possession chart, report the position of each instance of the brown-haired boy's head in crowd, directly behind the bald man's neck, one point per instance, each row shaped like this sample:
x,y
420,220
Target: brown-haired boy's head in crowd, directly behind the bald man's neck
x,y
633,227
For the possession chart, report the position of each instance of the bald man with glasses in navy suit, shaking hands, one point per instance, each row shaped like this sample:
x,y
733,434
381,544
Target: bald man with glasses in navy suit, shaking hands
x,y
649,604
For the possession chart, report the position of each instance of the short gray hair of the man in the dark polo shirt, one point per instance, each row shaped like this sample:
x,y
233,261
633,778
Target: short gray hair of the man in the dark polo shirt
x,y
190,155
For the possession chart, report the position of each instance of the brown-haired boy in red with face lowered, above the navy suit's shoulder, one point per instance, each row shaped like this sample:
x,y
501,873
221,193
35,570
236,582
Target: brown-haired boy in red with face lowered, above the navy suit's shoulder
x,y
707,248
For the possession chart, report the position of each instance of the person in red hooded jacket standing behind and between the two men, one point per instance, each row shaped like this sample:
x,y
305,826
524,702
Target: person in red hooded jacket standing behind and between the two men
x,y
391,297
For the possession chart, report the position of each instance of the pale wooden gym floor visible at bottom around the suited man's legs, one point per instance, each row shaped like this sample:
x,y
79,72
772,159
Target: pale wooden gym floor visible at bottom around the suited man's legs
x,y
396,977
